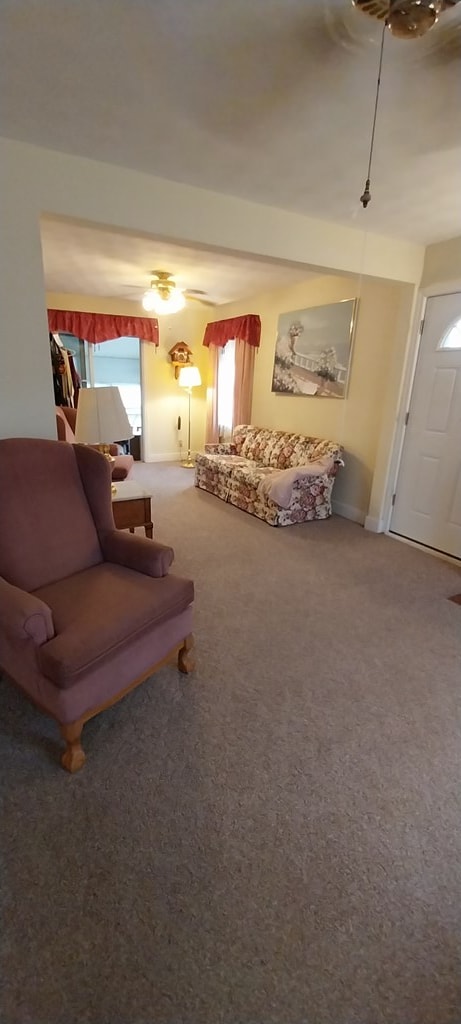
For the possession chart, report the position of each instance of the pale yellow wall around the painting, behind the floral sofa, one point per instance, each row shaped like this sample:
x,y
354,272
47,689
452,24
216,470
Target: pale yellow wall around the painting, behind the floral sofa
x,y
359,422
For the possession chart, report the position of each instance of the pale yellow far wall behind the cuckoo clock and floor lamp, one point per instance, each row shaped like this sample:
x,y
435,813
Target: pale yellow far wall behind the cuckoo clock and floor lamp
x,y
163,399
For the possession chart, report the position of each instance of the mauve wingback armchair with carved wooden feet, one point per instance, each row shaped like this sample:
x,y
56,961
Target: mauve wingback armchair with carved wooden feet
x,y
87,612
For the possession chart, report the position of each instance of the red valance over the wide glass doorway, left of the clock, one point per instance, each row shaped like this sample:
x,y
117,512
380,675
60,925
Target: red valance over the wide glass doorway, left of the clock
x,y
103,327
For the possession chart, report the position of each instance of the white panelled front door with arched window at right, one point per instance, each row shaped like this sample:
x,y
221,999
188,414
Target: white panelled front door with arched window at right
x,y
428,501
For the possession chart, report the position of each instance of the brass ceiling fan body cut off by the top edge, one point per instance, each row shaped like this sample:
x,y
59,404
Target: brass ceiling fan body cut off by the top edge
x,y
406,19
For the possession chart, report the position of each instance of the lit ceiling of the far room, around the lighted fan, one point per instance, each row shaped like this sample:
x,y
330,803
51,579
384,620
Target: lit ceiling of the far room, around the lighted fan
x,y
92,261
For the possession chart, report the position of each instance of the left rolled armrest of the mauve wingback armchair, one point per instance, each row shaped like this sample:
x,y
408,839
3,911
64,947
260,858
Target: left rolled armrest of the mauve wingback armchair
x,y
24,616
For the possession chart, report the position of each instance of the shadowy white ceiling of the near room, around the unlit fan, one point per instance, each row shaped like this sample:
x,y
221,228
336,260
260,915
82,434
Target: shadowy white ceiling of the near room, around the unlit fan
x,y
271,101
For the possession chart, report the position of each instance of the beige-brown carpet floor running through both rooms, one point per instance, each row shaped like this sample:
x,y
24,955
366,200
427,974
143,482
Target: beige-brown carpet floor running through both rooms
x,y
274,841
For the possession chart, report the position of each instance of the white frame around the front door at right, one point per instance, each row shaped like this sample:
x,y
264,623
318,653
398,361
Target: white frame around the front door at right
x,y
425,294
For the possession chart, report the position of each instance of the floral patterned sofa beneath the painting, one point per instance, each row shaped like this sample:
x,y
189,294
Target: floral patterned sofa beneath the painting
x,y
260,464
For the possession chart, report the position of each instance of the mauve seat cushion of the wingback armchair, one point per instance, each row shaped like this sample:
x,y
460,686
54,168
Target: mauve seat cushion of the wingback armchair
x,y
98,611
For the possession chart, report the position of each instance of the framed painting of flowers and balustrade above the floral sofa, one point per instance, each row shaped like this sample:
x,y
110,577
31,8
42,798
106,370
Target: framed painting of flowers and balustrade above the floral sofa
x,y
313,351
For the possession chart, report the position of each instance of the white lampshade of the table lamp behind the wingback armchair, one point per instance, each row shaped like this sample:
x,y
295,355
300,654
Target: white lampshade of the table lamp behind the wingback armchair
x,y
102,417
